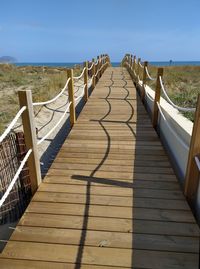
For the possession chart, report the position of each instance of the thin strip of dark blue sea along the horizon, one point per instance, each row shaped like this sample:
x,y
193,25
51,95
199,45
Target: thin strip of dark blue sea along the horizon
x,y
114,64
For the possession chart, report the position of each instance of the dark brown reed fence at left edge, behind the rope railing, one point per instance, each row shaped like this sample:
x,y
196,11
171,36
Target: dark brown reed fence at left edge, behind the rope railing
x,y
12,151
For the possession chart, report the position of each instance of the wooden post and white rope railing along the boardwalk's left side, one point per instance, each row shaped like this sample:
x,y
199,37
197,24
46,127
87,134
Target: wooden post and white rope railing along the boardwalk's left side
x,y
90,76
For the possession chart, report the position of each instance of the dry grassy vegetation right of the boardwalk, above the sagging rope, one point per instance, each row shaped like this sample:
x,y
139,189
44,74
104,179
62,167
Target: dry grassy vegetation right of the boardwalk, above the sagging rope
x,y
182,84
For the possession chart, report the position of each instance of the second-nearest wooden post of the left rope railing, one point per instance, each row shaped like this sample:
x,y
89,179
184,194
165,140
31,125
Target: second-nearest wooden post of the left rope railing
x,y
71,97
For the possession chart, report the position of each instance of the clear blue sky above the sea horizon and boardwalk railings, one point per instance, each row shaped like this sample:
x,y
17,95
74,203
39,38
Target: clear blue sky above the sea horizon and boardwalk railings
x,y
68,31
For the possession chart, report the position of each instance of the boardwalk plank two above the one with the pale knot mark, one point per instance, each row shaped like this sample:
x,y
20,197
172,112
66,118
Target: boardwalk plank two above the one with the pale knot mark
x,y
111,211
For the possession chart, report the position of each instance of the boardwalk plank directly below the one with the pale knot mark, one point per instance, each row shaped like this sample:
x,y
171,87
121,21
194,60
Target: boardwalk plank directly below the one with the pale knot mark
x,y
102,256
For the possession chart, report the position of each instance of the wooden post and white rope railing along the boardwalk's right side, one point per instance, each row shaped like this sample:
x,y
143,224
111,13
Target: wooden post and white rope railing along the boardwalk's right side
x,y
140,75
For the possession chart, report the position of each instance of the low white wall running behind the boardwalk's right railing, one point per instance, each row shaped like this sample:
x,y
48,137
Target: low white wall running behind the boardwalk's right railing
x,y
175,132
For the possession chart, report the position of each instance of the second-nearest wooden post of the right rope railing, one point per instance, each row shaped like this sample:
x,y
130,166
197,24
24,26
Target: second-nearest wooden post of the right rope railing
x,y
157,97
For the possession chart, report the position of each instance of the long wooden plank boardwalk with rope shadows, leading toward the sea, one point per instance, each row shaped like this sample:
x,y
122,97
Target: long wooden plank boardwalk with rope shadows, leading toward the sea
x,y
110,199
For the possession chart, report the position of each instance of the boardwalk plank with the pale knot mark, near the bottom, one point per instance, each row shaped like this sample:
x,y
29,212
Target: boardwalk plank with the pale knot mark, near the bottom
x,y
106,239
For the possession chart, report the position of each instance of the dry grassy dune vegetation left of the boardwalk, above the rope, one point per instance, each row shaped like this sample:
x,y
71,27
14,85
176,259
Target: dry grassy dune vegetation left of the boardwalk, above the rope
x,y
44,82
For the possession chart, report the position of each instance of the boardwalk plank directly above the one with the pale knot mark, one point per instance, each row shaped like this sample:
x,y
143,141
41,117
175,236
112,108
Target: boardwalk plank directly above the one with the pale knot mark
x,y
110,224
